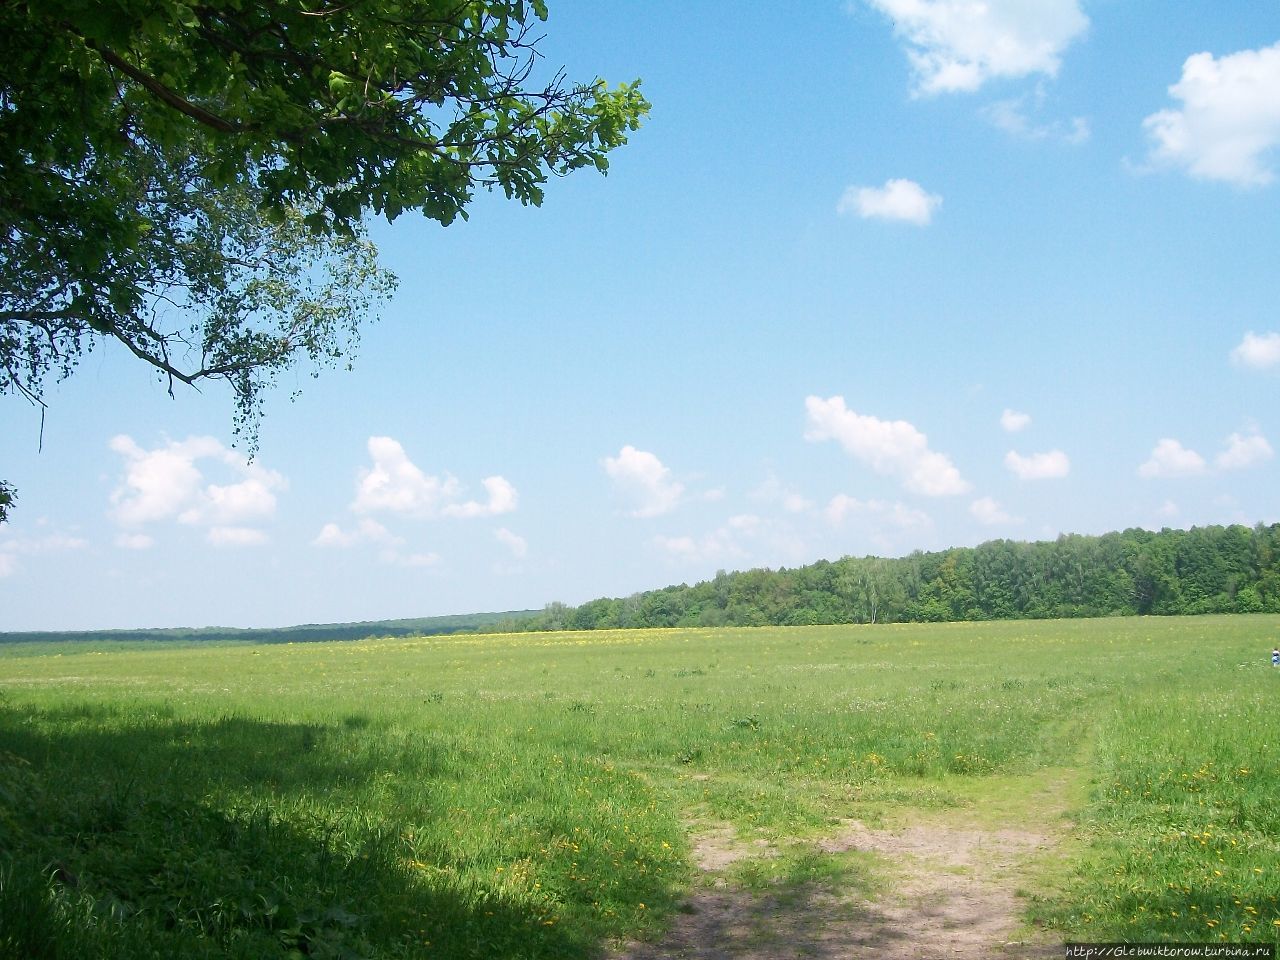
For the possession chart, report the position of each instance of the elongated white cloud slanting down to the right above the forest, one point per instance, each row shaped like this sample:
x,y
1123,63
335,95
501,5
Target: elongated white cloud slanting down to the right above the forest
x,y
890,447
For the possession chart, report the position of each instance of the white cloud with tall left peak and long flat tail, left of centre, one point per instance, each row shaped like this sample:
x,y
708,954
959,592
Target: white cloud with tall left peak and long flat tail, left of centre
x,y
395,484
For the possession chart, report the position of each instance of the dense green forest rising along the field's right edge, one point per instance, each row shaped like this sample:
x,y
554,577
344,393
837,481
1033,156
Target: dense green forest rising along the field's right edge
x,y
1203,570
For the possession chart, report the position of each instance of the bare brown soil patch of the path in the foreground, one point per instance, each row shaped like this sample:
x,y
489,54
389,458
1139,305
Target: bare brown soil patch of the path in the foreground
x,y
952,898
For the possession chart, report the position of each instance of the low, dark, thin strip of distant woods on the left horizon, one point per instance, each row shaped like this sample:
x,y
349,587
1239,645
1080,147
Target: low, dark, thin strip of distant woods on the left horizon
x,y
309,633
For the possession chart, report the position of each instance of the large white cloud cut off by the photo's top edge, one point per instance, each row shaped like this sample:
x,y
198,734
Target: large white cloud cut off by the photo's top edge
x,y
959,45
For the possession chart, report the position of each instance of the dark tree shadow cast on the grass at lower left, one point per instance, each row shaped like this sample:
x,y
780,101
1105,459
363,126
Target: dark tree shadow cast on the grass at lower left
x,y
130,833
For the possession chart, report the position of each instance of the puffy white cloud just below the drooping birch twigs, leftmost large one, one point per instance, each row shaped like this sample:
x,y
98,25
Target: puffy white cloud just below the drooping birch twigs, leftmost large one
x,y
168,483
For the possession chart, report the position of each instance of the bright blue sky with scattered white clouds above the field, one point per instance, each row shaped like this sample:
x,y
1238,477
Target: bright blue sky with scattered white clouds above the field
x,y
875,277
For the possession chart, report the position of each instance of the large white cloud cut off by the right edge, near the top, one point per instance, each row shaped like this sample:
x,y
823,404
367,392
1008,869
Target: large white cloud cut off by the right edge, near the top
x,y
1229,121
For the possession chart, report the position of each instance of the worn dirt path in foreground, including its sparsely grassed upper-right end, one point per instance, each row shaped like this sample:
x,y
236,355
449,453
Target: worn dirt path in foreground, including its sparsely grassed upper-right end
x,y
952,890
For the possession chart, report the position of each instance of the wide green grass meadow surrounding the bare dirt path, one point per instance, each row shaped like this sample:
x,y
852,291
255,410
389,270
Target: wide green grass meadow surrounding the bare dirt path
x,y
534,796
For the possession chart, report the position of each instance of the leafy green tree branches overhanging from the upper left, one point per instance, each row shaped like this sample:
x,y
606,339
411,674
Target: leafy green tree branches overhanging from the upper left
x,y
191,179
